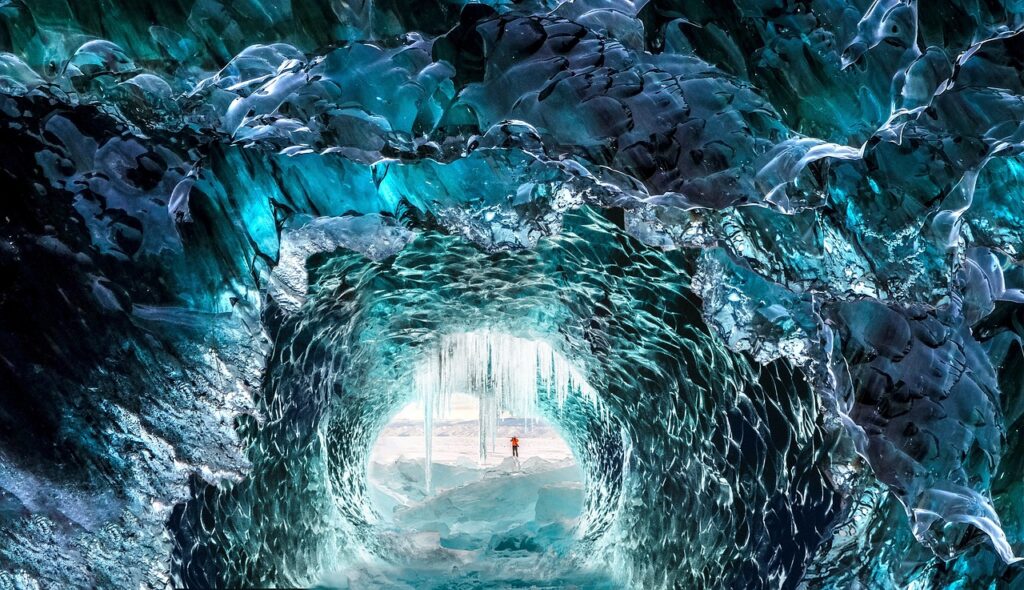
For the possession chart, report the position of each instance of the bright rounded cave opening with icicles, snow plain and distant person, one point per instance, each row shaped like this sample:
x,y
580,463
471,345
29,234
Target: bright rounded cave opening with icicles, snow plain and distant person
x,y
444,466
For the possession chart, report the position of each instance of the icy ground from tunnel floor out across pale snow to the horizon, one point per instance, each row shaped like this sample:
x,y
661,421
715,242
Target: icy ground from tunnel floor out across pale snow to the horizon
x,y
494,525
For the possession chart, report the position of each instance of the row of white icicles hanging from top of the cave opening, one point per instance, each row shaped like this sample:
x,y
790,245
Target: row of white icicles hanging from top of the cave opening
x,y
507,373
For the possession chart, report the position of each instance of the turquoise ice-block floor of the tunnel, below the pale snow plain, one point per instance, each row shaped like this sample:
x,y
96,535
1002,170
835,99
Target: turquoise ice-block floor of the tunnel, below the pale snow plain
x,y
502,528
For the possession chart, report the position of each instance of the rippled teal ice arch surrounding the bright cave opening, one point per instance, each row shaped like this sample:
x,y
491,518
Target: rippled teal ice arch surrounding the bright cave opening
x,y
696,440
